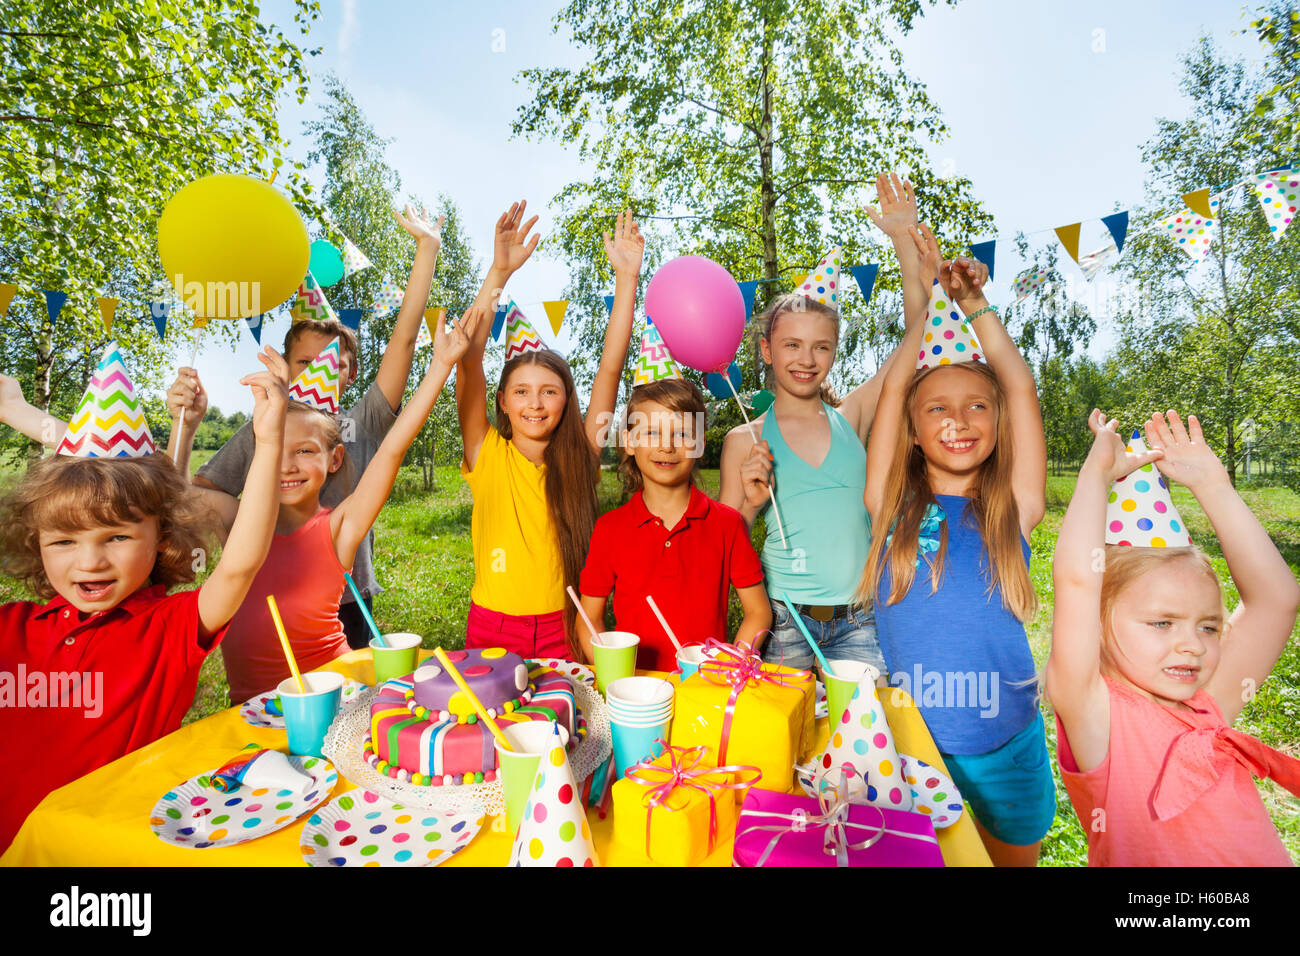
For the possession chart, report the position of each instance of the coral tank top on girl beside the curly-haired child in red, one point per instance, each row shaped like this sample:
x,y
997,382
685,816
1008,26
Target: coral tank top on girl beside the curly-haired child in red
x,y
304,573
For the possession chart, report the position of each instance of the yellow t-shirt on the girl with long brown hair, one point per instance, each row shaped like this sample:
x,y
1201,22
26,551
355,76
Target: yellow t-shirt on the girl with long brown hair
x,y
518,565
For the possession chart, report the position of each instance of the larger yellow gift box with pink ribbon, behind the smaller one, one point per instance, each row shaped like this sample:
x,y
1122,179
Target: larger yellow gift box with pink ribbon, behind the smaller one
x,y
747,712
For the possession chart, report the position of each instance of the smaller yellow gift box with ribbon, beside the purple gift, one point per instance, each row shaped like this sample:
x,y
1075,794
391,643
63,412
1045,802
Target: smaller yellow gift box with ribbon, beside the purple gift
x,y
677,807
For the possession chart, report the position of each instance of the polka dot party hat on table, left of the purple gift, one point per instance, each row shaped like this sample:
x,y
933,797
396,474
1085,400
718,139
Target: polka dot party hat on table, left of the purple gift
x,y
553,830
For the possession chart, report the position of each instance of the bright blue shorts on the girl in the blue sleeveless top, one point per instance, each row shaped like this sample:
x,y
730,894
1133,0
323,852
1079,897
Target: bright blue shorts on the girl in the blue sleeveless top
x,y
1011,790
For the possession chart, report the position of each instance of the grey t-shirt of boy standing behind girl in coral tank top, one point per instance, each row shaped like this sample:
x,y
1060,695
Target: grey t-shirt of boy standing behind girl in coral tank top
x,y
372,419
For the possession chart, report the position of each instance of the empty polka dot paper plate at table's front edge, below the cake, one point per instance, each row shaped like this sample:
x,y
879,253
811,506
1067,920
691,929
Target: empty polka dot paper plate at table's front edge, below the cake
x,y
363,829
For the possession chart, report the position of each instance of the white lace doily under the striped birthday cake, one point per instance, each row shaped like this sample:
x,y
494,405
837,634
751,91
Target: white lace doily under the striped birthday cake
x,y
348,734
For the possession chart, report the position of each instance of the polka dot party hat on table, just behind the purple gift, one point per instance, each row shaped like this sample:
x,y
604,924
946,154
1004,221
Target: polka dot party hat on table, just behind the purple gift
x,y
863,745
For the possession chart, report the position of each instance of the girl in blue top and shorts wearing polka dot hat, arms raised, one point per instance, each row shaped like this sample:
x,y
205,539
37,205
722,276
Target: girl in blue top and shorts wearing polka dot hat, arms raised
x,y
956,478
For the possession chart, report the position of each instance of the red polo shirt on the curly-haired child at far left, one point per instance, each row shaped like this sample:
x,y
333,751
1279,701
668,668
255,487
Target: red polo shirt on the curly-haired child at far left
x,y
142,659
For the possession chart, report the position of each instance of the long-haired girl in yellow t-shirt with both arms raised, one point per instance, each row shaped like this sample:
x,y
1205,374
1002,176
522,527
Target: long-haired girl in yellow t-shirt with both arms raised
x,y
534,475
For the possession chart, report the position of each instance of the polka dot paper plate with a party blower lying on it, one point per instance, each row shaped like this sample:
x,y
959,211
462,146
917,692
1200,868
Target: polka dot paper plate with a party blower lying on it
x,y
198,816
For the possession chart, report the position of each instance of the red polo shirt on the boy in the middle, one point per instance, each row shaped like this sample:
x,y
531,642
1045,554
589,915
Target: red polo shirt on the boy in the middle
x,y
686,570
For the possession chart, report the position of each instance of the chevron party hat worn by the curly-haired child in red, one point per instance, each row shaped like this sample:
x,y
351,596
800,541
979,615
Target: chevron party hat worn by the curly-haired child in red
x,y
110,421
